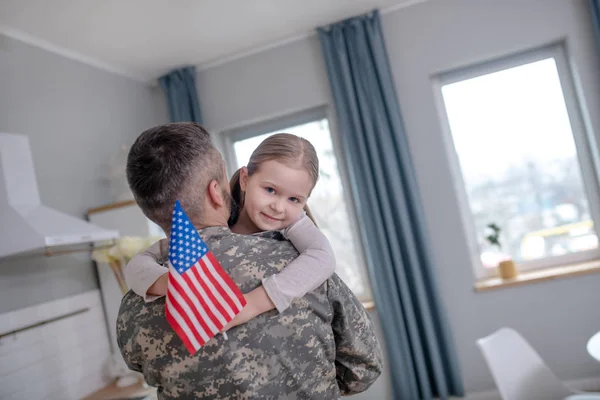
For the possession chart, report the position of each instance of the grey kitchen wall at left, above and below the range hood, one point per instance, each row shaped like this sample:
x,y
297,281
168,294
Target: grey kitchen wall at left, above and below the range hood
x,y
76,118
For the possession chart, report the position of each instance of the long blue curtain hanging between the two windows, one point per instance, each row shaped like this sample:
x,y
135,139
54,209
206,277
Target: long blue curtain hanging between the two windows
x,y
423,362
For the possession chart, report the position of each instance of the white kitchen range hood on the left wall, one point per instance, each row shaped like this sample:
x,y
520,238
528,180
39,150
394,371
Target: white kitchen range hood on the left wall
x,y
27,226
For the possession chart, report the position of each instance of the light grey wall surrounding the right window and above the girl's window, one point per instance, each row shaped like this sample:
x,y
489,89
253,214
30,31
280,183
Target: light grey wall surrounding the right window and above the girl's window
x,y
558,316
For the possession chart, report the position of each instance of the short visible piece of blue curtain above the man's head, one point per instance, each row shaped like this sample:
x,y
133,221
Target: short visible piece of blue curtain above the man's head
x,y
180,89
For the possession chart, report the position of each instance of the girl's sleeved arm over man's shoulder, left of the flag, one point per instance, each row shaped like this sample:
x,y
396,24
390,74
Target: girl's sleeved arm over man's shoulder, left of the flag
x,y
145,276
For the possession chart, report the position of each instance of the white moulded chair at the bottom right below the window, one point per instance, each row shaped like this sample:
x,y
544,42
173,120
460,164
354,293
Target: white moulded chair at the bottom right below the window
x,y
519,371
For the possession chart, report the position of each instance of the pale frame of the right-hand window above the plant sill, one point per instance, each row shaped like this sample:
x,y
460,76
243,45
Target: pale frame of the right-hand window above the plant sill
x,y
582,137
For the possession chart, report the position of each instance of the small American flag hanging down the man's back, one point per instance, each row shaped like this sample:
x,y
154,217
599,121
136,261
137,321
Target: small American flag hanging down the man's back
x,y
201,297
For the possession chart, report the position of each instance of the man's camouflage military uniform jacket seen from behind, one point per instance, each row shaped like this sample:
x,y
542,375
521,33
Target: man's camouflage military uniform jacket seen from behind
x,y
322,347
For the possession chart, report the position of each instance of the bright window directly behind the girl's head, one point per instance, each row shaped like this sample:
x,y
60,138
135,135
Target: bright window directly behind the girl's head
x,y
328,201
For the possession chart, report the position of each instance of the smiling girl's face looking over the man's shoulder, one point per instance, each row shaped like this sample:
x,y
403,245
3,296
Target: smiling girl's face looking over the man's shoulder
x,y
275,195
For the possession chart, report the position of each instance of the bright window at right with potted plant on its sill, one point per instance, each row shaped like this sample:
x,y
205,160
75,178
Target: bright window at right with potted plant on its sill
x,y
521,160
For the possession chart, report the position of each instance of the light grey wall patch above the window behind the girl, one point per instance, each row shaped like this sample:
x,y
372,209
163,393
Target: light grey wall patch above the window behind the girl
x,y
263,86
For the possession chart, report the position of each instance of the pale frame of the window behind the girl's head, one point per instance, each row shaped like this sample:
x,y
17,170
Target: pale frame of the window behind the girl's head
x,y
229,137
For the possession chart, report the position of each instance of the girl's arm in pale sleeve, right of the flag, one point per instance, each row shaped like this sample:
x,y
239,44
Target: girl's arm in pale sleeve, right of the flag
x,y
307,272
